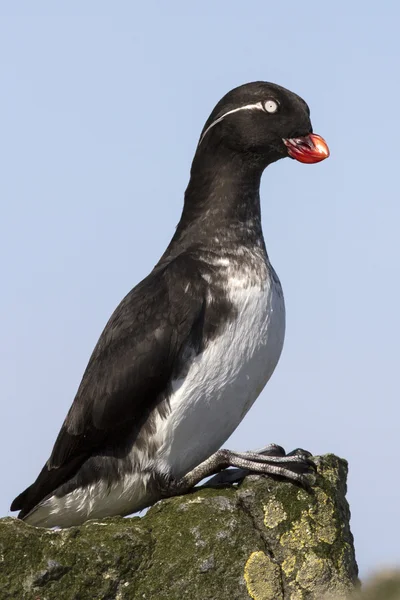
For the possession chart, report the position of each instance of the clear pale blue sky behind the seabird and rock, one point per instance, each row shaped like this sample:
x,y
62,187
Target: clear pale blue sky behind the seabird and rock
x,y
101,107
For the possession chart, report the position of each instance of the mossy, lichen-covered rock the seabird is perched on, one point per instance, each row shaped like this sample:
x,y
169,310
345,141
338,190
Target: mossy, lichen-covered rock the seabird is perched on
x,y
265,539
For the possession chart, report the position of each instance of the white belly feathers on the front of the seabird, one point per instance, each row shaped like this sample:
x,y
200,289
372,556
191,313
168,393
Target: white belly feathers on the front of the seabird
x,y
224,380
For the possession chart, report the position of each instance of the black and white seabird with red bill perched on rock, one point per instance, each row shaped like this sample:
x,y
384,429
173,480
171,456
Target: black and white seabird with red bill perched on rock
x,y
189,349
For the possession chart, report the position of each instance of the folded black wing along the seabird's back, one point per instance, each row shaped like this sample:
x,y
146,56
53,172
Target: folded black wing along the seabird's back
x,y
141,348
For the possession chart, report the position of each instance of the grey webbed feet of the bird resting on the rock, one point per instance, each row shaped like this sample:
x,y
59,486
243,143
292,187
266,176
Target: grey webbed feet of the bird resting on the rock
x,y
270,460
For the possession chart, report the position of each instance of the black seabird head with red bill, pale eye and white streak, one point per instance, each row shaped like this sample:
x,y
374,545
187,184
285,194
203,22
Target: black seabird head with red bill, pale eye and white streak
x,y
265,122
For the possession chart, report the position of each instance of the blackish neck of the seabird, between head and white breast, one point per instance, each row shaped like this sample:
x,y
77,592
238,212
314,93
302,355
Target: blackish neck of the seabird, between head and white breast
x,y
222,203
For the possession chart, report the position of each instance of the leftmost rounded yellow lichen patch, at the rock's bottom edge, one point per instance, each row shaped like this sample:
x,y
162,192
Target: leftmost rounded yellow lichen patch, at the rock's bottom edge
x,y
262,577
